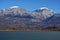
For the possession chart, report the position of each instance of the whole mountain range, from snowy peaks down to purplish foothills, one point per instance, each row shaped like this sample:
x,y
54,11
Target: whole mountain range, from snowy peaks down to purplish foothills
x,y
18,17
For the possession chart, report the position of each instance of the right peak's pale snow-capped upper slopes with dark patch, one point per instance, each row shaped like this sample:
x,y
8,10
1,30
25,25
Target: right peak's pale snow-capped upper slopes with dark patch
x,y
43,13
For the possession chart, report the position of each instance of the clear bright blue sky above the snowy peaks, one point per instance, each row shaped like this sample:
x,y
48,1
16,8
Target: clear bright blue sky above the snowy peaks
x,y
31,4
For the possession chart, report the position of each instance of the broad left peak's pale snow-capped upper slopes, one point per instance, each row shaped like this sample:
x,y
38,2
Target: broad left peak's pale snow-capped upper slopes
x,y
14,11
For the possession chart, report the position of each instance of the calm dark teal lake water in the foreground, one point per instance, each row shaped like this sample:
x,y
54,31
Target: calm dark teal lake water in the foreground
x,y
25,35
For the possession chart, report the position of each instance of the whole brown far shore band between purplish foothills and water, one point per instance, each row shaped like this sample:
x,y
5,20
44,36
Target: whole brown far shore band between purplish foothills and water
x,y
31,29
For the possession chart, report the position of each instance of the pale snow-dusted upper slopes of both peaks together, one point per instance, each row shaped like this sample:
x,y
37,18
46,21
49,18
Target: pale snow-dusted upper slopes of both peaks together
x,y
41,13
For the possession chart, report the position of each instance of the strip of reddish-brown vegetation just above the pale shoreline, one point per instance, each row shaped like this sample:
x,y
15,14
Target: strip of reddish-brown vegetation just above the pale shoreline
x,y
32,28
